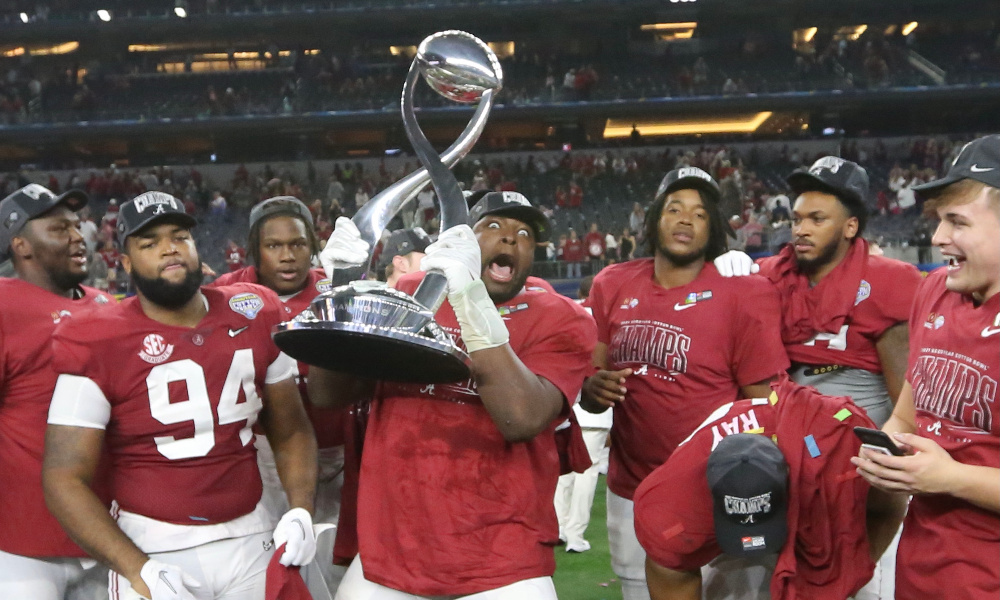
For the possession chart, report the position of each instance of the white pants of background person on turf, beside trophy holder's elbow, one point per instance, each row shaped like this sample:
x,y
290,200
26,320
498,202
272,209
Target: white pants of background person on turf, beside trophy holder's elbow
x,y
575,491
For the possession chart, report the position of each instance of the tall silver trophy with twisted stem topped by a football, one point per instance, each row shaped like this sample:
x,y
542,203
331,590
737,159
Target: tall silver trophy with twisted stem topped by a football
x,y
381,333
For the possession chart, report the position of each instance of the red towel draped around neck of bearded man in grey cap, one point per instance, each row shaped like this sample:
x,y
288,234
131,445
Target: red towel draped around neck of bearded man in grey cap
x,y
806,310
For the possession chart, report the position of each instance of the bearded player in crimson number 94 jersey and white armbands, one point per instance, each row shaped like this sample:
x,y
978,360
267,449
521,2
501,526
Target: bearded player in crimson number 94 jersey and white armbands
x,y
171,382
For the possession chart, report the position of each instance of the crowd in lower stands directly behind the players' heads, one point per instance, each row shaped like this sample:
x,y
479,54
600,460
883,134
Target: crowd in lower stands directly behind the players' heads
x,y
595,200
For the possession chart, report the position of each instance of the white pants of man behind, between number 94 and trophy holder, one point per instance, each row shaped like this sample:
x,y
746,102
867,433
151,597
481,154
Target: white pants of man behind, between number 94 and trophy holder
x,y
321,576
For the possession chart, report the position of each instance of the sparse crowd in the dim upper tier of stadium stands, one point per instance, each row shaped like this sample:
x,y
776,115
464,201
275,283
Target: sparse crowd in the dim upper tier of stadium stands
x,y
134,87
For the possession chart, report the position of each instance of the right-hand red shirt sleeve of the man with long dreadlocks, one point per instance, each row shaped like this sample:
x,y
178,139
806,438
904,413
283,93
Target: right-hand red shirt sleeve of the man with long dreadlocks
x,y
759,352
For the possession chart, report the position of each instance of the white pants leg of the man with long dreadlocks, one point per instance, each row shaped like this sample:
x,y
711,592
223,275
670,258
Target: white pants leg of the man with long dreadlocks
x,y
628,559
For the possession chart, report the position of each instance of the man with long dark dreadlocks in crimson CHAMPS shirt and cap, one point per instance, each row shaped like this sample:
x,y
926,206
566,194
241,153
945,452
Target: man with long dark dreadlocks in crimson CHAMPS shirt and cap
x,y
676,340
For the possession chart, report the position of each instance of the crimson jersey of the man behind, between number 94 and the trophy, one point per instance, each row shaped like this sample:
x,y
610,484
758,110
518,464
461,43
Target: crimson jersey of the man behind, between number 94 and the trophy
x,y
327,423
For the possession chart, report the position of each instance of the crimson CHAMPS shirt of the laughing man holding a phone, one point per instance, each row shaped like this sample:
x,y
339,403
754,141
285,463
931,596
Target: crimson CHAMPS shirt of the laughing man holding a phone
x,y
953,368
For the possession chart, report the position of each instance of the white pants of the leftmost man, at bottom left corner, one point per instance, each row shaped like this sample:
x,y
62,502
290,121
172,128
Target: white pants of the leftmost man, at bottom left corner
x,y
23,577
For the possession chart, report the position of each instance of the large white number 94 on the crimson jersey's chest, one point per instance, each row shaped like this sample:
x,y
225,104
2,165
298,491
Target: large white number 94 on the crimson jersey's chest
x,y
198,408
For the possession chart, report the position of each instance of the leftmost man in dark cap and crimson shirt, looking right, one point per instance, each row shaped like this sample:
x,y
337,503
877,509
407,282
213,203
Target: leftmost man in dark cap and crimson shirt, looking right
x,y
40,233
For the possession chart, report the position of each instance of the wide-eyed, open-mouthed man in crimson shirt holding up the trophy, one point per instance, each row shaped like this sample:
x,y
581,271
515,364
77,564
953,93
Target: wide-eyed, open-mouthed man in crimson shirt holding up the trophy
x,y
457,479
